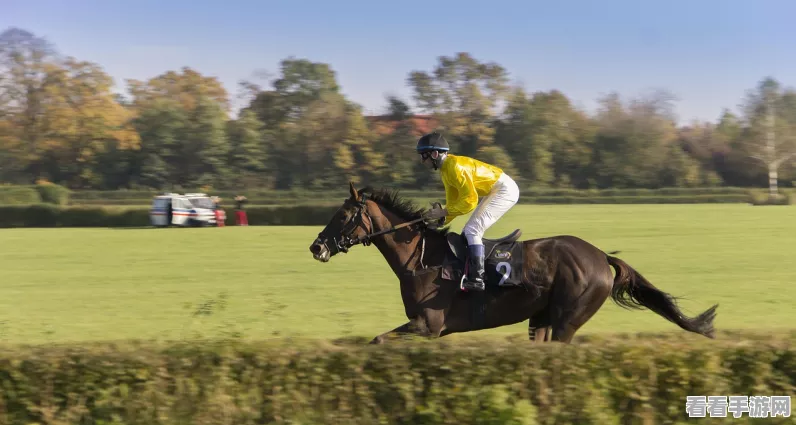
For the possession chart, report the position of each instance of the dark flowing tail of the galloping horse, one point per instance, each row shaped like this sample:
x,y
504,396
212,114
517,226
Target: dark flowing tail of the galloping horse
x,y
632,291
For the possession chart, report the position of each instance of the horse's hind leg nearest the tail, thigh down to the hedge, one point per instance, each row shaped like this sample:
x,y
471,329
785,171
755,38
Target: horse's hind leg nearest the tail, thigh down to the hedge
x,y
566,323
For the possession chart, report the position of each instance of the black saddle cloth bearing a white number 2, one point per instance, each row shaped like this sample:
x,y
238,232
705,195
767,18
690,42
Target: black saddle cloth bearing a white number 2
x,y
503,260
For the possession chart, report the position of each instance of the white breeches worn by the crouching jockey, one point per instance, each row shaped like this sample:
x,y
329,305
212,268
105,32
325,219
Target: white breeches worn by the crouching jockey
x,y
503,196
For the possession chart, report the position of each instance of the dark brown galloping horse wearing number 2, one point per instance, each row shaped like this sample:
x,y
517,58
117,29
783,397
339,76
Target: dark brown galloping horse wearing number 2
x,y
563,280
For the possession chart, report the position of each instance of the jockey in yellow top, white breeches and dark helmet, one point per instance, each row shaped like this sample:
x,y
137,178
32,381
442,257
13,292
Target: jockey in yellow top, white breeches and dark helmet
x,y
465,179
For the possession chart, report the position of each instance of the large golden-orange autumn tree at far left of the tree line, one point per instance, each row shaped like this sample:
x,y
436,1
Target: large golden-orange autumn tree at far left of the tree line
x,y
58,114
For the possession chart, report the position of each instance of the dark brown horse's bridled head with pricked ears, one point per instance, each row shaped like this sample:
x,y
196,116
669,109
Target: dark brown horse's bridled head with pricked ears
x,y
348,227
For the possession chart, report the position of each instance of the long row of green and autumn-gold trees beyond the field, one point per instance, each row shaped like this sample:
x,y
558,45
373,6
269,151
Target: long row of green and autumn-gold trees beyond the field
x,y
61,122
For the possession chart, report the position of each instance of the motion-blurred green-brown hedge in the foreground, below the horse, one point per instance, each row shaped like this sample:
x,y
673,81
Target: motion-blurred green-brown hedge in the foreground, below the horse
x,y
607,383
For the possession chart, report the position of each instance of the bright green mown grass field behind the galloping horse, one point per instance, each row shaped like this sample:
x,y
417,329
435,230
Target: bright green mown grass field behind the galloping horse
x,y
59,285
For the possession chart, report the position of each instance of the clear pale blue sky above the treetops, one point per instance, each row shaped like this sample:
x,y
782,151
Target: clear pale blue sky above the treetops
x,y
708,53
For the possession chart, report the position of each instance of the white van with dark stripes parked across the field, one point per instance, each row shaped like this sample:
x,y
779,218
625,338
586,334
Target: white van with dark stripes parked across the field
x,y
189,210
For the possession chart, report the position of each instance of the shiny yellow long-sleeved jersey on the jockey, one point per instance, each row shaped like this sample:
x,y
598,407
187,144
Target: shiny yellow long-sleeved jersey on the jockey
x,y
465,179
